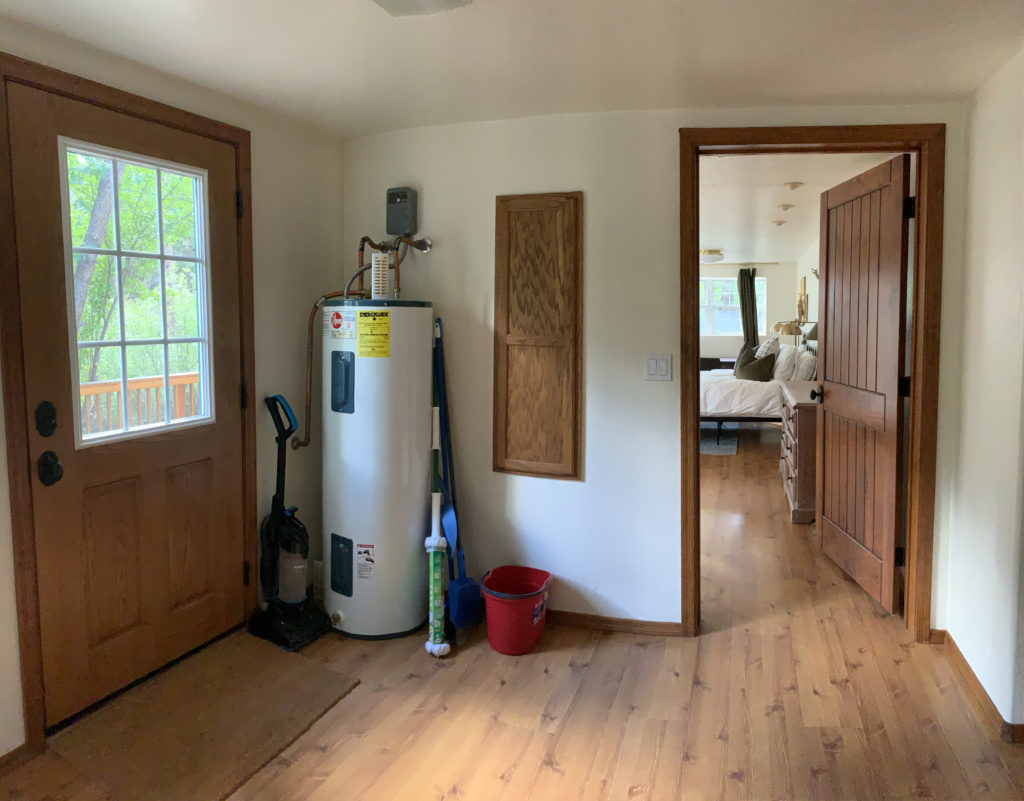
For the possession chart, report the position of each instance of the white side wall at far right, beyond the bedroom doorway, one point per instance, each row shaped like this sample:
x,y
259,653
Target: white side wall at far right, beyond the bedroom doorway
x,y
985,599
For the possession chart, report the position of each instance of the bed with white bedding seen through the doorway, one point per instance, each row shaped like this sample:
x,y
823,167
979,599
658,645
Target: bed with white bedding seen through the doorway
x,y
726,399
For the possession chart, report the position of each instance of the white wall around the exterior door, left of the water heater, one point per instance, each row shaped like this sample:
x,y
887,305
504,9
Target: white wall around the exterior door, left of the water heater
x,y
297,210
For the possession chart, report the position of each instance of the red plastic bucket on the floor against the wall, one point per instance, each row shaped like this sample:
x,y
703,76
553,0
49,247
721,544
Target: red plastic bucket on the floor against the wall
x,y
517,601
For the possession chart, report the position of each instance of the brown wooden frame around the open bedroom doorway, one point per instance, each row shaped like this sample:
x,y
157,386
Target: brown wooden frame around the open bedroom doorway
x,y
928,142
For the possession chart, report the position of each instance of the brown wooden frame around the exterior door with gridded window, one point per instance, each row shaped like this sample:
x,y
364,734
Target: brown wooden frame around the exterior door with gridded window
x,y
15,70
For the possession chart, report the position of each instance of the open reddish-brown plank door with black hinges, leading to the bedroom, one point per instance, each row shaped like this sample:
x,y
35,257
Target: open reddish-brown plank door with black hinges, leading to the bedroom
x,y
862,329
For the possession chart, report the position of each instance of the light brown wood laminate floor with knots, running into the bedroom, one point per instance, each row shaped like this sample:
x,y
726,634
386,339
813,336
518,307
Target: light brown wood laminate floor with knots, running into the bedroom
x,y
800,689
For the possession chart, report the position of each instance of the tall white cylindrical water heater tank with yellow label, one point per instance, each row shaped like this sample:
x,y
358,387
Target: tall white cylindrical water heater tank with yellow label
x,y
377,415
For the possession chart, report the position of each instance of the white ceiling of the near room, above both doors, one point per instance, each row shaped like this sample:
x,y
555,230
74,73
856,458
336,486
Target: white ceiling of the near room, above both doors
x,y
351,66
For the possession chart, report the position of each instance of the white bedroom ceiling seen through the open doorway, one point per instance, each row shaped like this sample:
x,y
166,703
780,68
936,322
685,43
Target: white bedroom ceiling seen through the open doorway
x,y
741,197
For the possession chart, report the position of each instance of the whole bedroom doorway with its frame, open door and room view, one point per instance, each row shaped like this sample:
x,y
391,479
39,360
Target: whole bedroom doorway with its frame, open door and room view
x,y
753,221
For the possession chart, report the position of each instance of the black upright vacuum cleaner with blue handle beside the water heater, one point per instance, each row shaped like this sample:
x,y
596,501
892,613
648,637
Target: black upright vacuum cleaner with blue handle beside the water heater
x,y
289,620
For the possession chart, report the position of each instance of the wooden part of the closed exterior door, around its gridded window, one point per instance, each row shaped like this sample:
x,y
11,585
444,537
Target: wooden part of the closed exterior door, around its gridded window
x,y
140,545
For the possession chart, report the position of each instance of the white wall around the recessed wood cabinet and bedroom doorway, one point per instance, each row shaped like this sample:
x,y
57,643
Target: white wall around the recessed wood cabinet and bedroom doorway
x,y
612,540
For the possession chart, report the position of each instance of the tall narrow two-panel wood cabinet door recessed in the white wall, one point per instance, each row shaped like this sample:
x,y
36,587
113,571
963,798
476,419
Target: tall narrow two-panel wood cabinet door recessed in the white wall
x,y
538,321
